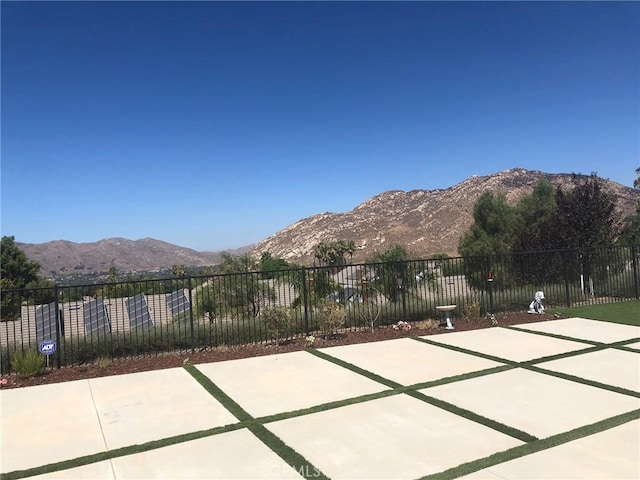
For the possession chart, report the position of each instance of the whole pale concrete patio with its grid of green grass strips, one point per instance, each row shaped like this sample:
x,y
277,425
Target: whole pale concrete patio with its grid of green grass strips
x,y
549,400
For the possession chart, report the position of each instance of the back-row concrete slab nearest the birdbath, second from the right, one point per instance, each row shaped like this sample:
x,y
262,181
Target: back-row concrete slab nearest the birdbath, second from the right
x,y
509,344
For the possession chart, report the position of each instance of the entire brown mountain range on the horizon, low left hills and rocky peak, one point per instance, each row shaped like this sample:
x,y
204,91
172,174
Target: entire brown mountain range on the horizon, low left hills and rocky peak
x,y
426,222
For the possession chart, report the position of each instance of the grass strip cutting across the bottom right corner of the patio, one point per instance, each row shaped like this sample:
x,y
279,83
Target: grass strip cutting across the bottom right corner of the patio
x,y
534,447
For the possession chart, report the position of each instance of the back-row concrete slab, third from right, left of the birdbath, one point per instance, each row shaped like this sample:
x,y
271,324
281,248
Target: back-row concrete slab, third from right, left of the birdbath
x,y
409,362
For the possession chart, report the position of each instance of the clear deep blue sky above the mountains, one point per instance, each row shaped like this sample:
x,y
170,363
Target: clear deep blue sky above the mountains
x,y
213,125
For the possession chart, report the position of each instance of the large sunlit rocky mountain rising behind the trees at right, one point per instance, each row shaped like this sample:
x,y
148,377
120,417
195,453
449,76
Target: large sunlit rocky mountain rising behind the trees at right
x,y
425,221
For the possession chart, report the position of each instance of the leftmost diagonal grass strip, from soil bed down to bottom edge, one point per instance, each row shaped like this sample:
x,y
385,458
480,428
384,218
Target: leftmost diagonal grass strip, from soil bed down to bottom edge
x,y
300,464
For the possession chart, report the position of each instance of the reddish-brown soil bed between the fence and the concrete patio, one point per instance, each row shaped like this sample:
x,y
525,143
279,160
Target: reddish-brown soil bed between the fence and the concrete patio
x,y
219,354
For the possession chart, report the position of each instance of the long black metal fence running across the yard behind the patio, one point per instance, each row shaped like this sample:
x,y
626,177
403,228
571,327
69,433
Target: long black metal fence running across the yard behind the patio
x,y
151,317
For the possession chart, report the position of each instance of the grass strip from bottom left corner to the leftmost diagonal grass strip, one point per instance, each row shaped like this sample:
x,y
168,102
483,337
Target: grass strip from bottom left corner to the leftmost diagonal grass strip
x,y
118,452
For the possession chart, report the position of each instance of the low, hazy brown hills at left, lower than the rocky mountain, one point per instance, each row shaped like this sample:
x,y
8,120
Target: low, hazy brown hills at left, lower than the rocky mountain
x,y
61,257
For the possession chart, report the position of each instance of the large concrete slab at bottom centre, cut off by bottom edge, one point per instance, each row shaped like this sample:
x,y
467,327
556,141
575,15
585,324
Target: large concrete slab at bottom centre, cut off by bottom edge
x,y
388,438
